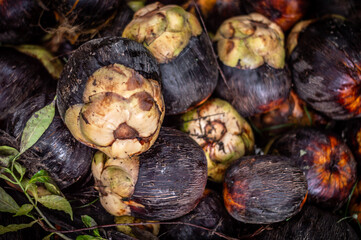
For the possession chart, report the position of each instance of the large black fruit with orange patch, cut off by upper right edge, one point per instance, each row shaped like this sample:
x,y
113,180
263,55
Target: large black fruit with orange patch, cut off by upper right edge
x,y
330,85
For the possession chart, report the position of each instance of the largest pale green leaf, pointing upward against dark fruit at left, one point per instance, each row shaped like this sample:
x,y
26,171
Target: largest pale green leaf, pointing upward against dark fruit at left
x,y
36,126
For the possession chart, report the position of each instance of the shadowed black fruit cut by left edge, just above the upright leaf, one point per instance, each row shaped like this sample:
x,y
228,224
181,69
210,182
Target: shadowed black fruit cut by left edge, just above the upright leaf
x,y
21,76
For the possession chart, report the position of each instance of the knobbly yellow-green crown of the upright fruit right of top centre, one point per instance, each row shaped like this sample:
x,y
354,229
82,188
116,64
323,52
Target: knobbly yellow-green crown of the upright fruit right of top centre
x,y
248,42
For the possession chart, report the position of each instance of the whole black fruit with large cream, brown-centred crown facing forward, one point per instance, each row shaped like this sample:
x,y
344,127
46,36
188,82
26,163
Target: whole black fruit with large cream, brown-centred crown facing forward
x,y
112,99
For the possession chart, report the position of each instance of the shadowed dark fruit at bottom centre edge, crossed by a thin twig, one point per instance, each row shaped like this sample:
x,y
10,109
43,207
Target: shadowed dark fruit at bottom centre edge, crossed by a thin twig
x,y
209,213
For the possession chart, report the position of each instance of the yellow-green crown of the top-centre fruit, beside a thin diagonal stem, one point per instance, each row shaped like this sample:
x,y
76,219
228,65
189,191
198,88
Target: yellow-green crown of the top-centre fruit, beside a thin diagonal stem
x,y
164,30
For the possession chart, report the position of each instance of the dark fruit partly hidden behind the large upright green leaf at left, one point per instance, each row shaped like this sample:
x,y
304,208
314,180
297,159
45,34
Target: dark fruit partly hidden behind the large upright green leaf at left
x,y
65,159
